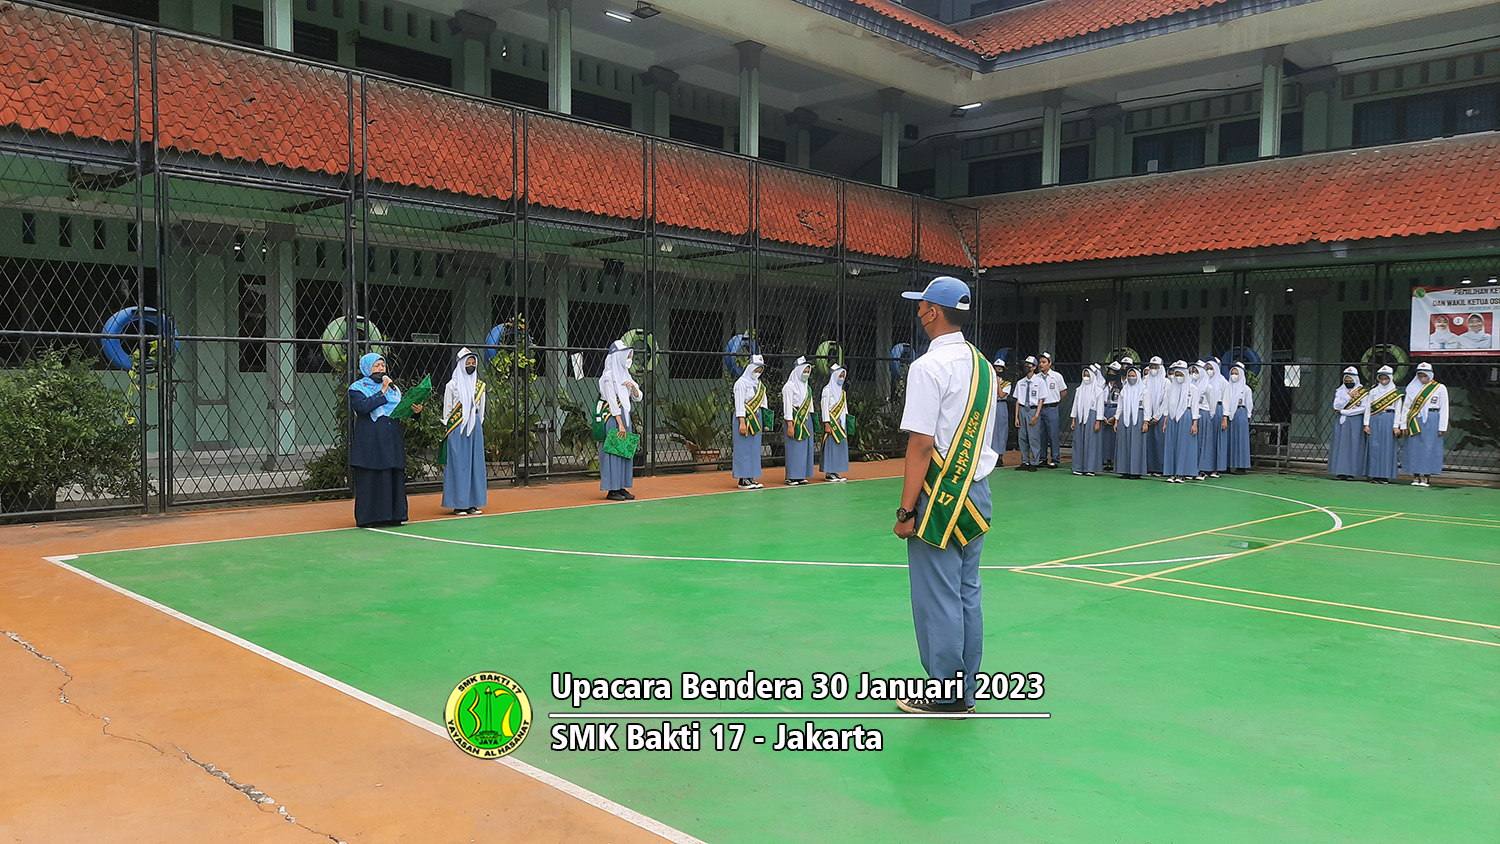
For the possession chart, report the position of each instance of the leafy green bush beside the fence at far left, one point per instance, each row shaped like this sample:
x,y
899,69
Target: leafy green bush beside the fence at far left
x,y
65,428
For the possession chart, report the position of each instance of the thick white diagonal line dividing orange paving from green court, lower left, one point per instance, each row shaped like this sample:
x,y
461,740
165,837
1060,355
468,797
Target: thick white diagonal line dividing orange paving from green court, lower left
x,y
628,815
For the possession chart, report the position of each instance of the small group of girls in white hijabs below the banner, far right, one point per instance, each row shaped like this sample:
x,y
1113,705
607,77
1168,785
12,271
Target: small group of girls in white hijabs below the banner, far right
x,y
1373,422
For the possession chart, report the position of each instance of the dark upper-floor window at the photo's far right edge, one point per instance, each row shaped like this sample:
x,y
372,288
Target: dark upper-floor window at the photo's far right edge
x,y
1427,116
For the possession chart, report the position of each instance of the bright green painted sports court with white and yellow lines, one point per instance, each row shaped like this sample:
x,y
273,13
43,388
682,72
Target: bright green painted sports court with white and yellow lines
x,y
1271,659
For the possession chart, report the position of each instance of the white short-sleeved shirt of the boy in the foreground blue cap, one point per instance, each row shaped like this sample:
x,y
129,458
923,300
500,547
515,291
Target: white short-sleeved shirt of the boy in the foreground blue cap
x,y
938,394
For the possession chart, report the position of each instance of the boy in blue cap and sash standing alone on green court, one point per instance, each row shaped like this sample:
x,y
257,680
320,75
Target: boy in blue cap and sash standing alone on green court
x,y
946,497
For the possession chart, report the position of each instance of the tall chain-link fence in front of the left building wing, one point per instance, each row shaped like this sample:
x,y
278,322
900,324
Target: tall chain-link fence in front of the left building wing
x,y
200,241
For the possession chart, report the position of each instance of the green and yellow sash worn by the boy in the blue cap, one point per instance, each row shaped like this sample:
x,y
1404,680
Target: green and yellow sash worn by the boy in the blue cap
x,y
950,512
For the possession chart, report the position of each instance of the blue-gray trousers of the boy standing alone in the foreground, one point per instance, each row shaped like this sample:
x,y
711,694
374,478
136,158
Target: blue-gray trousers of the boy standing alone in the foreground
x,y
946,600
